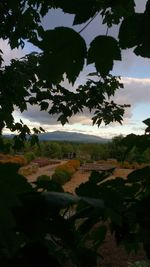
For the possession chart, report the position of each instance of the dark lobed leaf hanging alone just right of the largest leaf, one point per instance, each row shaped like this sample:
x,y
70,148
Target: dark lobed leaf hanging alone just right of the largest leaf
x,y
103,51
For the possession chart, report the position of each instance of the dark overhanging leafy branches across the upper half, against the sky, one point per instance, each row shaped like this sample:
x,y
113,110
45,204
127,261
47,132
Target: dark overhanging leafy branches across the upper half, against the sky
x,y
35,79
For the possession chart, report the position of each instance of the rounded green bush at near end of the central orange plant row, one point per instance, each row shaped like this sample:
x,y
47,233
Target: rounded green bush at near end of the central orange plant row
x,y
61,176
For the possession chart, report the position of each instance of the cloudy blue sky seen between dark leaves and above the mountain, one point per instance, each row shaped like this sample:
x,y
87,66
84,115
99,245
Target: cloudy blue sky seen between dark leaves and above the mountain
x,y
134,72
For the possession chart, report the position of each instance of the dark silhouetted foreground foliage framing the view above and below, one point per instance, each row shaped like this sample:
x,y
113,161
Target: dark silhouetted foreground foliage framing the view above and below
x,y
36,80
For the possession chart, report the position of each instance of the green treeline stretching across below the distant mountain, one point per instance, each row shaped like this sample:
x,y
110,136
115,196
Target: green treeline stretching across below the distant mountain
x,y
86,152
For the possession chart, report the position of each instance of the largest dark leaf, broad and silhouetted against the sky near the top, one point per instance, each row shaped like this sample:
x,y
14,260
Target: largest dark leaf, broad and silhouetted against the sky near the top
x,y
64,52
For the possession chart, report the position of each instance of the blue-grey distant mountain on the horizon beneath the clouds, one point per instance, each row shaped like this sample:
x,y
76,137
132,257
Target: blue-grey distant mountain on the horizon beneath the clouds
x,y
71,137
